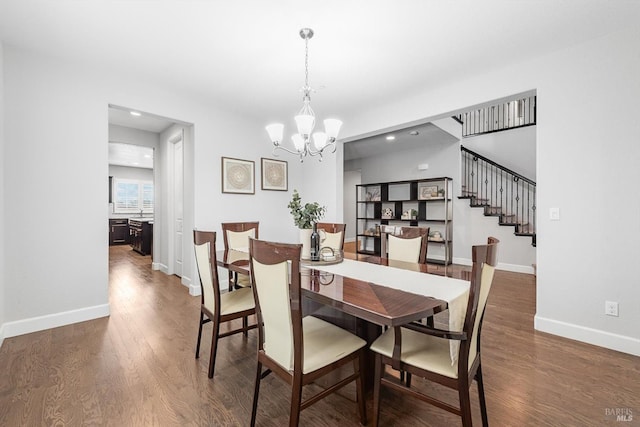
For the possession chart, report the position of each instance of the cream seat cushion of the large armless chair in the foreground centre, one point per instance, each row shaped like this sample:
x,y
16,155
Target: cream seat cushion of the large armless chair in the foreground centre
x,y
325,343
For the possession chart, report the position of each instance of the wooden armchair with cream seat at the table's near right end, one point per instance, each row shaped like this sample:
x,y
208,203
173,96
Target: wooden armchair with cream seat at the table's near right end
x,y
426,351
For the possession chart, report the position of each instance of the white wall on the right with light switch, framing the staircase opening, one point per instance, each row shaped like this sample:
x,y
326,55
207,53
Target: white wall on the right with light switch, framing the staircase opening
x,y
587,159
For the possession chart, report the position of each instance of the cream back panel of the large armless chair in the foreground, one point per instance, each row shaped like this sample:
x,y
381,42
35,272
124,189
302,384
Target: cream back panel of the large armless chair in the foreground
x,y
272,287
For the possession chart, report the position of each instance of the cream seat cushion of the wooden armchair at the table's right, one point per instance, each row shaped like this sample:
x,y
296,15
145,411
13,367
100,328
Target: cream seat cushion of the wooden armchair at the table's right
x,y
420,350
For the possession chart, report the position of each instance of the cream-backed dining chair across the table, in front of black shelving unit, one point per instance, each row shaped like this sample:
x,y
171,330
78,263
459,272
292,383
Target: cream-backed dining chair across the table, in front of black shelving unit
x,y
407,244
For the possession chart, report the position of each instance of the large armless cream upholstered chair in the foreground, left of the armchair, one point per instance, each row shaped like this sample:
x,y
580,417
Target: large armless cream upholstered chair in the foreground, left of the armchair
x,y
297,349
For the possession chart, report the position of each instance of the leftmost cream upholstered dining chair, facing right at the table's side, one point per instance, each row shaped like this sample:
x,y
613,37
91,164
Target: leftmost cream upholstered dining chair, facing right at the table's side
x,y
218,308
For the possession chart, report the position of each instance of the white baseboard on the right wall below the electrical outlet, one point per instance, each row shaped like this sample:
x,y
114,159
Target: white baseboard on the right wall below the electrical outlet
x,y
597,337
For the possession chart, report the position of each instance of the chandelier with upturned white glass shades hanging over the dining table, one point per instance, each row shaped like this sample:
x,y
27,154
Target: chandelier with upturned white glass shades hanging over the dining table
x,y
306,120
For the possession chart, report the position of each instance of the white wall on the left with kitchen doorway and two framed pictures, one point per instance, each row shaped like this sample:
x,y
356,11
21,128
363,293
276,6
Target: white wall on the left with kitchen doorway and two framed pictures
x,y
43,96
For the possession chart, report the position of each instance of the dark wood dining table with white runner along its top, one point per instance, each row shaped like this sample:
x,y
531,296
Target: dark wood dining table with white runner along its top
x,y
364,294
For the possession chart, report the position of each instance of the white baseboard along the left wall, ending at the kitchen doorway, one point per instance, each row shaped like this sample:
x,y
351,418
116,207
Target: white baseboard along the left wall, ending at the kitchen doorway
x,y
40,323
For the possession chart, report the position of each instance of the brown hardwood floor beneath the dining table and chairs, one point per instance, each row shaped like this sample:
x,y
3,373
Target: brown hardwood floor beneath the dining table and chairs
x,y
137,367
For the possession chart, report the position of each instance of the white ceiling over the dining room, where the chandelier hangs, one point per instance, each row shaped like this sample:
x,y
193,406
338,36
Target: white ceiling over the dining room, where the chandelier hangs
x,y
248,56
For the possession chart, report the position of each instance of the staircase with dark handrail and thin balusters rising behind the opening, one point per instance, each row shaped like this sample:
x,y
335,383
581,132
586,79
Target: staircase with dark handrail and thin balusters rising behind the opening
x,y
502,193
